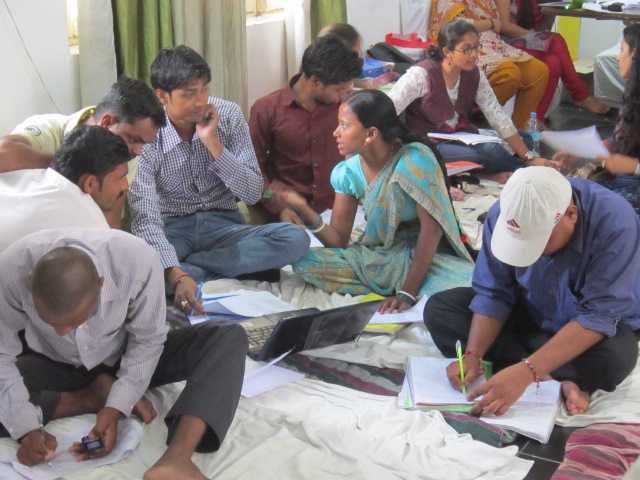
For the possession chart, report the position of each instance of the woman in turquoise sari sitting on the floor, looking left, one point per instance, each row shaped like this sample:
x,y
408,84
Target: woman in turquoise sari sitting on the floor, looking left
x,y
403,188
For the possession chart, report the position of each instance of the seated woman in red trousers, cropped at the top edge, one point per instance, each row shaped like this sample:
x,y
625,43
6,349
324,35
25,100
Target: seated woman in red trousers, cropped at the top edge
x,y
523,18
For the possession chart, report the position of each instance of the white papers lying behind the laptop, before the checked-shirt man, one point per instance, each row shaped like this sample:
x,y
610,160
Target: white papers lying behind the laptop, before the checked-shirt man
x,y
240,304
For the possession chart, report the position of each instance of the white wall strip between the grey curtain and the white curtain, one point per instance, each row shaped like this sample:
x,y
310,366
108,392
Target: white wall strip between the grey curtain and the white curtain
x,y
266,55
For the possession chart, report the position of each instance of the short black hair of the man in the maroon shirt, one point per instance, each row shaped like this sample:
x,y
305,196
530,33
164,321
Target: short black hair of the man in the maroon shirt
x,y
331,61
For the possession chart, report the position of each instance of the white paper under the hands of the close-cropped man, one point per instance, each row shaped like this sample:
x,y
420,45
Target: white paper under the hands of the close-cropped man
x,y
130,434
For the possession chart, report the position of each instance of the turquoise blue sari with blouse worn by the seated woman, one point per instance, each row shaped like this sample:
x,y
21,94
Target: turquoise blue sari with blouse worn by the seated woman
x,y
380,260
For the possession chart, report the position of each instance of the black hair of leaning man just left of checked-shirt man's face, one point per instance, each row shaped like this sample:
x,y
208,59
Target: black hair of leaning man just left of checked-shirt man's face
x,y
130,100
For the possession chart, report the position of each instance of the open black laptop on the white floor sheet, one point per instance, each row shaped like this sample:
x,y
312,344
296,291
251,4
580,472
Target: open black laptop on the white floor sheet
x,y
272,335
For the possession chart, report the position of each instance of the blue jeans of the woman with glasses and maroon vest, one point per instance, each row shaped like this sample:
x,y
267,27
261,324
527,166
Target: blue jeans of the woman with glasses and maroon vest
x,y
492,156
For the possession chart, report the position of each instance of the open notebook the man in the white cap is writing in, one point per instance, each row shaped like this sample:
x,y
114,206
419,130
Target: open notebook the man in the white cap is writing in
x,y
426,387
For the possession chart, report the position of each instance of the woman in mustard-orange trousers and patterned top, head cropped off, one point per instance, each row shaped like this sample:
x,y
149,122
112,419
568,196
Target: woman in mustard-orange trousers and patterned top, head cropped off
x,y
510,71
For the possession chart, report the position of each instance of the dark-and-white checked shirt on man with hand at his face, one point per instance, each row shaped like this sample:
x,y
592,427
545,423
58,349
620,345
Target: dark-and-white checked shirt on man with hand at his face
x,y
177,178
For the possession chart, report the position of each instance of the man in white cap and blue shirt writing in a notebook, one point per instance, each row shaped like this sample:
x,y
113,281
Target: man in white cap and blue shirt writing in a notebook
x,y
555,293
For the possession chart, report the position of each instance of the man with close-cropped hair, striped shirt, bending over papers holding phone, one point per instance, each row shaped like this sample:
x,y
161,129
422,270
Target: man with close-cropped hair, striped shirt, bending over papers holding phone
x,y
92,307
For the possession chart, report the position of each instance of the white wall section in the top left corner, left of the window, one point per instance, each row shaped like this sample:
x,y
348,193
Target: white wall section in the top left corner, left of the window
x,y
42,25
